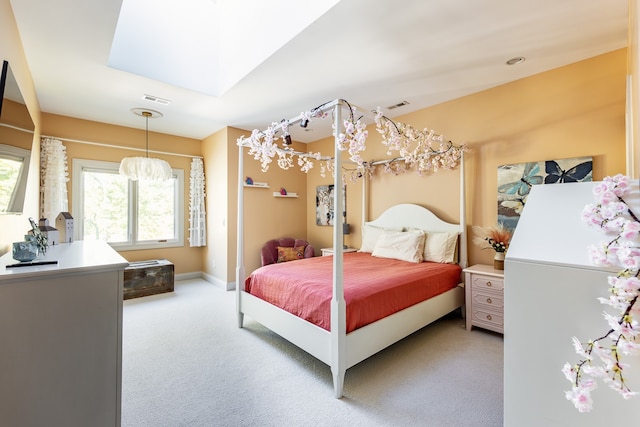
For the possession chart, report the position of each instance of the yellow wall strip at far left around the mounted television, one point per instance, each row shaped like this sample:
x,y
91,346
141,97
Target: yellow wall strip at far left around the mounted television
x,y
13,227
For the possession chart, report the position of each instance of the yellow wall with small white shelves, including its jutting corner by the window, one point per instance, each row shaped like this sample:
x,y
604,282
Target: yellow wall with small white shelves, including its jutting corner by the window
x,y
265,216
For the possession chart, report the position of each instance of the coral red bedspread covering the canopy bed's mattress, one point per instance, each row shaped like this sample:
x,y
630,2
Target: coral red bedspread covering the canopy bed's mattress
x,y
373,287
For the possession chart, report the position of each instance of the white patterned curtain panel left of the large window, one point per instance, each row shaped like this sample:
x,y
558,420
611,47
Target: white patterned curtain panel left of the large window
x,y
53,179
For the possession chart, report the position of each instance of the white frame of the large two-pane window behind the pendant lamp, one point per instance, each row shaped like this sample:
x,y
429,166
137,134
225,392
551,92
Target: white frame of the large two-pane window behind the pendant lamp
x,y
80,165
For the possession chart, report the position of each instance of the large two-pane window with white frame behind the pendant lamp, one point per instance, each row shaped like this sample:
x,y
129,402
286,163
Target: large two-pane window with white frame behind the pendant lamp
x,y
126,214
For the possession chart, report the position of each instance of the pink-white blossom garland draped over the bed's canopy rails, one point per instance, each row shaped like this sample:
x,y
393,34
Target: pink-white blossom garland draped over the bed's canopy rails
x,y
423,149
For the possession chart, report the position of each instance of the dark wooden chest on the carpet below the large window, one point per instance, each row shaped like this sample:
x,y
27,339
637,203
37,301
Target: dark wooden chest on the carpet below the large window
x,y
143,278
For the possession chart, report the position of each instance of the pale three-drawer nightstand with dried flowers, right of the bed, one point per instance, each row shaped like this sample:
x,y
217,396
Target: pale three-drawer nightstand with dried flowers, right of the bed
x,y
484,297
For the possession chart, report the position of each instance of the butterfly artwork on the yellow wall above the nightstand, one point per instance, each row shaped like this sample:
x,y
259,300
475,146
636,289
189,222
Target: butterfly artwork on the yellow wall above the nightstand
x,y
515,182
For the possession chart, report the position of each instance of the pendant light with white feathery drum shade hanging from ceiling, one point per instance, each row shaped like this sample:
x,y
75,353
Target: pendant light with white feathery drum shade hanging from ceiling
x,y
147,168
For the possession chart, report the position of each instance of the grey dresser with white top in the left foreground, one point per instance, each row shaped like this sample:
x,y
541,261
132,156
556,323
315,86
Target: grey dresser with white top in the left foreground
x,y
61,338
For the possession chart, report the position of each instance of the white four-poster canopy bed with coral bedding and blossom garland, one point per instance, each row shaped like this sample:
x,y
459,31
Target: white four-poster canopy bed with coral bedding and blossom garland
x,y
330,332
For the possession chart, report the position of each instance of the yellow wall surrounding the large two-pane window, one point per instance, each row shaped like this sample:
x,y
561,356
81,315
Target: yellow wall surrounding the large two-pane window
x,y
186,259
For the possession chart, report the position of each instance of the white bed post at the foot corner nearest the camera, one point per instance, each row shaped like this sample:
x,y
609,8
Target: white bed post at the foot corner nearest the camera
x,y
338,306
